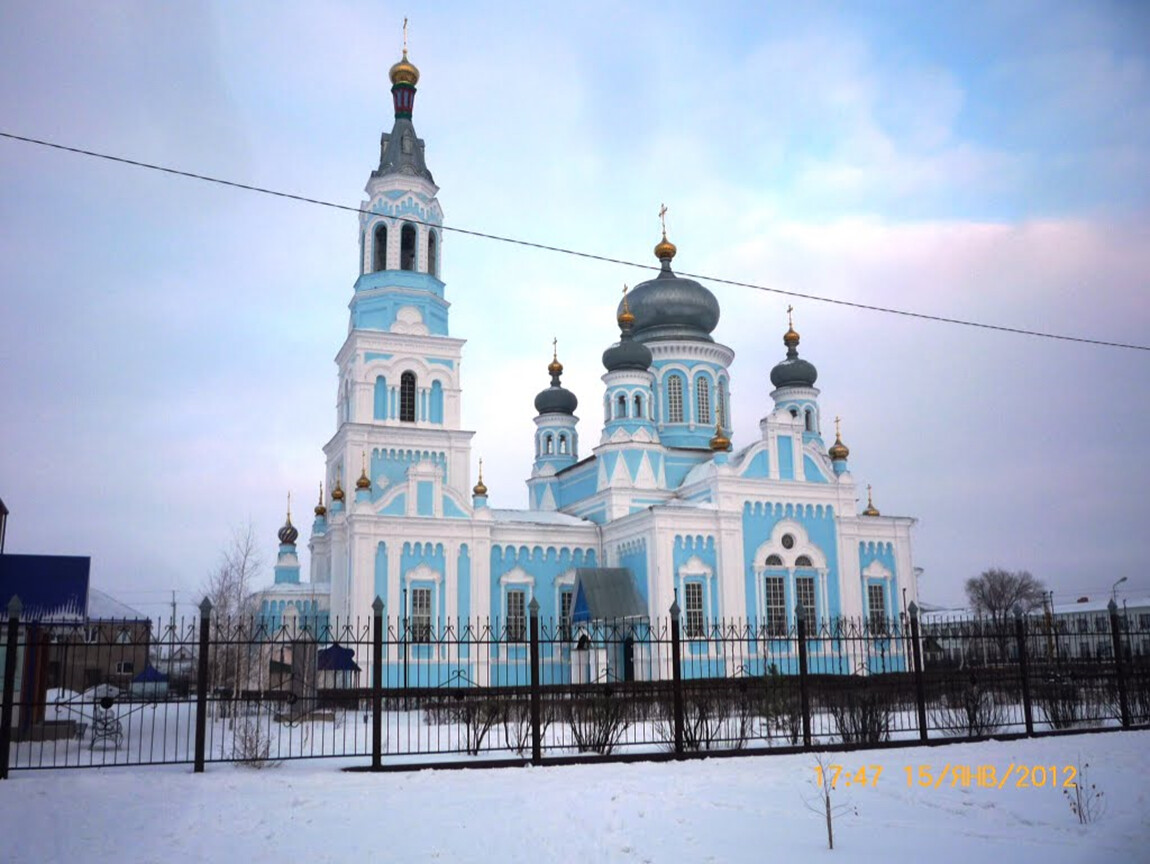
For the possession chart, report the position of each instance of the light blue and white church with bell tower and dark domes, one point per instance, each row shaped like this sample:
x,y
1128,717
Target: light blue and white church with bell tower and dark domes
x,y
657,496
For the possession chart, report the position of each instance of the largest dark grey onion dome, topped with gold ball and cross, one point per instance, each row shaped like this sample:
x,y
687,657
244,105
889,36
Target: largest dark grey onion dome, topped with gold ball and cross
x,y
670,307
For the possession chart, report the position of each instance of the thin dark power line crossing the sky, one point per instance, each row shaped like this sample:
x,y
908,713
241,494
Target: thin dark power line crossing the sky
x,y
578,254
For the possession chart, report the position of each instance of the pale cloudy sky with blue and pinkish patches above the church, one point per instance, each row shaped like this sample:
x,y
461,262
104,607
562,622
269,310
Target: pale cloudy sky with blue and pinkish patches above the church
x,y
167,346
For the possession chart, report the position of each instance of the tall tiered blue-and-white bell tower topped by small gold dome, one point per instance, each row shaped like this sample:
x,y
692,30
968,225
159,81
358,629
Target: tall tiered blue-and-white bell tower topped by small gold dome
x,y
398,397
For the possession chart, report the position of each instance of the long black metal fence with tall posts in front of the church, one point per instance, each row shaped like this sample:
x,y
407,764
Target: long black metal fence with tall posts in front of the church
x,y
402,693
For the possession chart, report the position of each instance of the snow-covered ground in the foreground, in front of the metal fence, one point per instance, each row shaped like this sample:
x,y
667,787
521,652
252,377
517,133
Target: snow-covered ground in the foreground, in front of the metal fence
x,y
747,809
